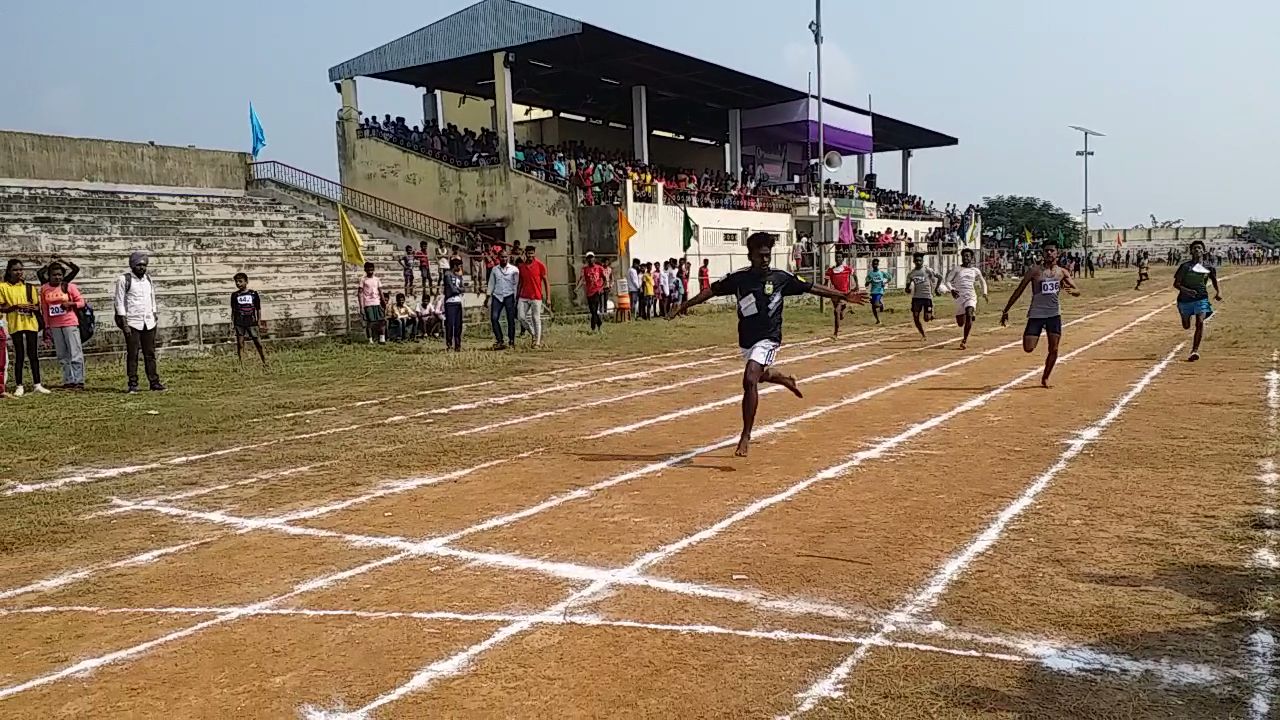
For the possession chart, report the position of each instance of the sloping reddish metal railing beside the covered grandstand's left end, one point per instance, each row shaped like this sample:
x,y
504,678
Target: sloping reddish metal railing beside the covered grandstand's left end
x,y
363,203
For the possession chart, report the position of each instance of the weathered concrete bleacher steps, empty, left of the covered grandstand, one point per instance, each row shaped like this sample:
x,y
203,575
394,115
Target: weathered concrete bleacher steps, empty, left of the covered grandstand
x,y
198,244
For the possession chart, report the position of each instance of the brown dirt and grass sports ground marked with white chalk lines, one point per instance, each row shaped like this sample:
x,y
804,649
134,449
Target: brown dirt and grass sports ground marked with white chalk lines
x,y
400,534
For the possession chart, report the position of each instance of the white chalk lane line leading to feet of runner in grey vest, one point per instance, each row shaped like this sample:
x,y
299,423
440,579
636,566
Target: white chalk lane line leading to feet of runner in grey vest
x,y
461,662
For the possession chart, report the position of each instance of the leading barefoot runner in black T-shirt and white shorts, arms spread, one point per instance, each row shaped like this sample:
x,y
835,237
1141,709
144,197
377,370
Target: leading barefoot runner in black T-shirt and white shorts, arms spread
x,y
760,293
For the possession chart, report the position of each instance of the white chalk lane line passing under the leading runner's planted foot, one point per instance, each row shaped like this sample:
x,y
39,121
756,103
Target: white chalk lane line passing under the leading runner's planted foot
x,y
515,517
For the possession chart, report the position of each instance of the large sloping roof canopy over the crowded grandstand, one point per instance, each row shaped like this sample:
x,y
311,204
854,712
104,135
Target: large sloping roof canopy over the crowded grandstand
x,y
573,67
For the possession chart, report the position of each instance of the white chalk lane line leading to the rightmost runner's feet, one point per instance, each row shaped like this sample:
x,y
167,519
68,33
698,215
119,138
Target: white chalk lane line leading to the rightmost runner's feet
x,y
922,601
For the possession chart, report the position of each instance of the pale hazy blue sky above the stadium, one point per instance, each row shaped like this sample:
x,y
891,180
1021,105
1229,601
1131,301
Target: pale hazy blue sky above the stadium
x,y
1186,92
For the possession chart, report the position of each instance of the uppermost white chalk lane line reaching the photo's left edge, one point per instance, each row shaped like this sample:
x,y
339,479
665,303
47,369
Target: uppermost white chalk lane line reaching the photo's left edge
x,y
111,473
